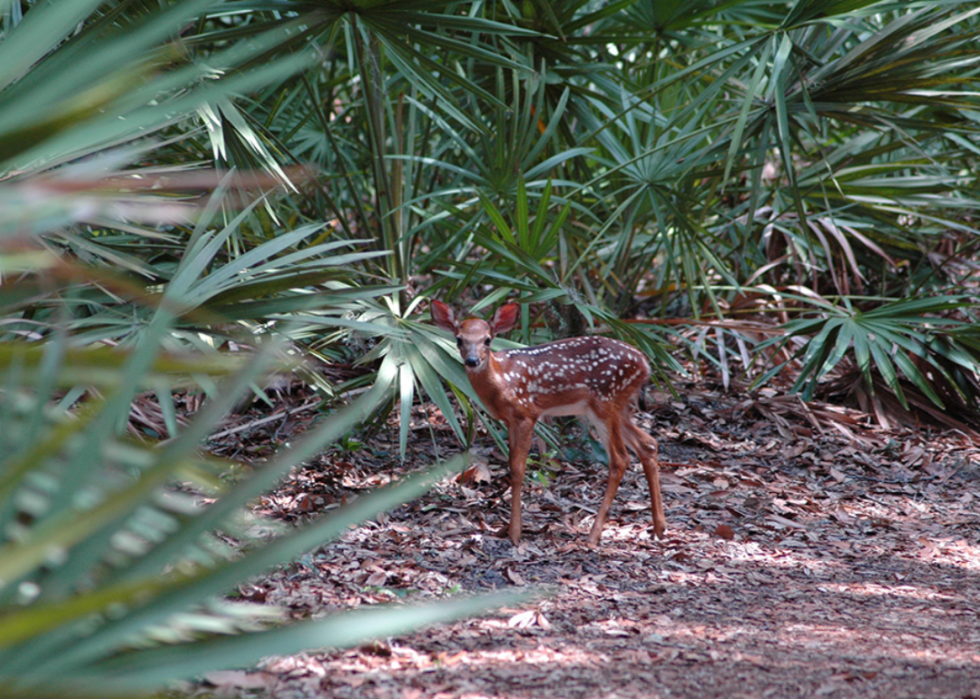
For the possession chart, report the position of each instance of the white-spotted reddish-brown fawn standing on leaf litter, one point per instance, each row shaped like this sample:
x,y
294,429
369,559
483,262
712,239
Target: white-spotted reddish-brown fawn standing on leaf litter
x,y
595,377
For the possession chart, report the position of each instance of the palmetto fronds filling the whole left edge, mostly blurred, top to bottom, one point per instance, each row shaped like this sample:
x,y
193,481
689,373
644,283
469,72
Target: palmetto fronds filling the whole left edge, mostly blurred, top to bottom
x,y
120,278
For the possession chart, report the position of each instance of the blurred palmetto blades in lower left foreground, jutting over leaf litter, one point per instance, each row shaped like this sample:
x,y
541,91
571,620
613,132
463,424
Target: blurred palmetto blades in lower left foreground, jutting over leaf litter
x,y
110,574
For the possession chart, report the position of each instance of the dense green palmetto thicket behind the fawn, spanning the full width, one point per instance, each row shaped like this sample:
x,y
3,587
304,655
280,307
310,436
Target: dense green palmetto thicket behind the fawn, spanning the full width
x,y
603,162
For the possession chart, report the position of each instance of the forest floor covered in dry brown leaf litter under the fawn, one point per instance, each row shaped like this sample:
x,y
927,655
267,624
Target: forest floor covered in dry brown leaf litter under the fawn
x,y
808,554
